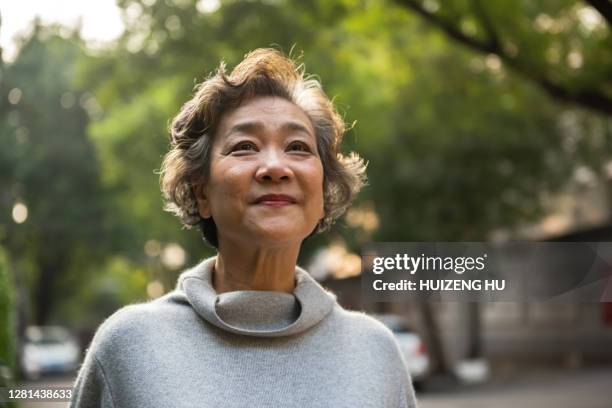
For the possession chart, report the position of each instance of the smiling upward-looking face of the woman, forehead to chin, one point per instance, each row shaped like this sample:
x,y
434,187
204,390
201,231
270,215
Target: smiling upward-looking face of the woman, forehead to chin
x,y
266,176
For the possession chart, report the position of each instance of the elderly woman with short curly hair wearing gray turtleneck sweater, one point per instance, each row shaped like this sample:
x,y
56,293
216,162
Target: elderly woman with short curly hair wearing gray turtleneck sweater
x,y
255,162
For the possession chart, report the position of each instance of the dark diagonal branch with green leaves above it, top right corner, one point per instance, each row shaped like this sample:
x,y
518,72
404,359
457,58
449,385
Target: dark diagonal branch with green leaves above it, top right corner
x,y
564,47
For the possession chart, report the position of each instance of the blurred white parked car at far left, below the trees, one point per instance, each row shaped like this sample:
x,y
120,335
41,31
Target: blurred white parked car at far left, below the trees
x,y
49,350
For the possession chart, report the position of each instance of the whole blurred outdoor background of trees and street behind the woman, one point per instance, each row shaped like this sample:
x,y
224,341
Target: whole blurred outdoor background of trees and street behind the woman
x,y
481,121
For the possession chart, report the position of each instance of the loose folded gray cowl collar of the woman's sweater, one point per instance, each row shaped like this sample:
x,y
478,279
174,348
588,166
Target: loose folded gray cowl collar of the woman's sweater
x,y
256,313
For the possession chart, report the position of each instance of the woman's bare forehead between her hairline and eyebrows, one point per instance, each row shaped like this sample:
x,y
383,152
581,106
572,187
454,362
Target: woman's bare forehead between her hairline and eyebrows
x,y
271,111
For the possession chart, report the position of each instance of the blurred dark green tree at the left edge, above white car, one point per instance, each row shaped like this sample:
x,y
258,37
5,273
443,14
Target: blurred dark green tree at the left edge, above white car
x,y
54,221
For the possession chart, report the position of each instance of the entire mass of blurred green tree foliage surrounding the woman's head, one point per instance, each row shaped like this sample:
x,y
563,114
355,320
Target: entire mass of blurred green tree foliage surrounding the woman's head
x,y
460,140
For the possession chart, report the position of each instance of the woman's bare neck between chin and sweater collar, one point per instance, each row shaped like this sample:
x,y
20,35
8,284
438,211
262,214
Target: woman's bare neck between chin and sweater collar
x,y
245,267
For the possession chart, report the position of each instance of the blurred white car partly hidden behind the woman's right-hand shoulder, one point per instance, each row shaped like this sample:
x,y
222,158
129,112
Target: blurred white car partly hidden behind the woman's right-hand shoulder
x,y
411,345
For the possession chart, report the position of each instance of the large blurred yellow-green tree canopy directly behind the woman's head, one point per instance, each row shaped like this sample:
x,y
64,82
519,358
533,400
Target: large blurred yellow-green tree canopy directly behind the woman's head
x,y
459,142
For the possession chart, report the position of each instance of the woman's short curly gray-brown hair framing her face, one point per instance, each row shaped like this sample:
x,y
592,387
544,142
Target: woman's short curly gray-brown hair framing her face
x,y
262,72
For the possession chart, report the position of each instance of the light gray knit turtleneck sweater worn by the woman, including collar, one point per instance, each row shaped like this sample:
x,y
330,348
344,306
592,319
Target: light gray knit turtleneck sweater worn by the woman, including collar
x,y
196,348
